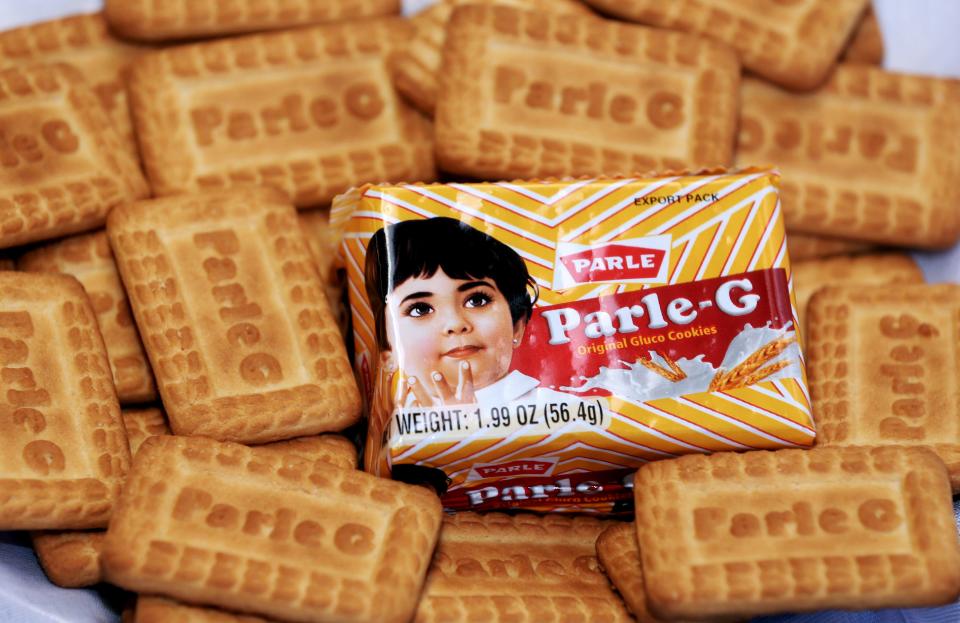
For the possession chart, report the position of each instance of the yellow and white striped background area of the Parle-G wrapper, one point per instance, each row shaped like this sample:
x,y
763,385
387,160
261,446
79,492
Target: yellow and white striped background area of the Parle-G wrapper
x,y
719,224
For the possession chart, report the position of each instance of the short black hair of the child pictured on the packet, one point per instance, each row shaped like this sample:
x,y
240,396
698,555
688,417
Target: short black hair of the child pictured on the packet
x,y
418,248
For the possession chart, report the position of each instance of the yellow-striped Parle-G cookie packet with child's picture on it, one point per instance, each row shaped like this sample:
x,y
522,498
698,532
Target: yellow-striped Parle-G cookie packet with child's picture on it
x,y
531,344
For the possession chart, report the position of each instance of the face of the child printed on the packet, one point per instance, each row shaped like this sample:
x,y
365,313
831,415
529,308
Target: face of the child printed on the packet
x,y
435,324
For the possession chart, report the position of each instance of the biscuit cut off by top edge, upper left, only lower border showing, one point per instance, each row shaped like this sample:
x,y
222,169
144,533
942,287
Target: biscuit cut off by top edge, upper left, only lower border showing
x,y
159,20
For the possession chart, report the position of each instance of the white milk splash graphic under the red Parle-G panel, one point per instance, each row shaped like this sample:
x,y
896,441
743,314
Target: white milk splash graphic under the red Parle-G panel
x,y
638,383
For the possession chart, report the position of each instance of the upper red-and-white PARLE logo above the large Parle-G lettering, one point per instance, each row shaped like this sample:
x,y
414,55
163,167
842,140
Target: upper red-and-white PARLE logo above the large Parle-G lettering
x,y
638,260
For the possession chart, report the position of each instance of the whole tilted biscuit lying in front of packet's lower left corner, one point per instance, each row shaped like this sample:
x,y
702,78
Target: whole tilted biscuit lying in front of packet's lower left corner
x,y
219,524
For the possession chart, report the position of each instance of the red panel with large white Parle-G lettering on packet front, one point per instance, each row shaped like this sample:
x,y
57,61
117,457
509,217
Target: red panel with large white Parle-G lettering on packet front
x,y
691,323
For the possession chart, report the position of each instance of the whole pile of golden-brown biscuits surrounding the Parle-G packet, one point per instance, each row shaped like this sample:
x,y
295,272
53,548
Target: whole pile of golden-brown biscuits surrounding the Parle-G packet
x,y
179,411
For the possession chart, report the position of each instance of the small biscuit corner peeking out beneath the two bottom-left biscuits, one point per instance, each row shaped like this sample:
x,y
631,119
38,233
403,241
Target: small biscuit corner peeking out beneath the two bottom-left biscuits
x,y
70,559
